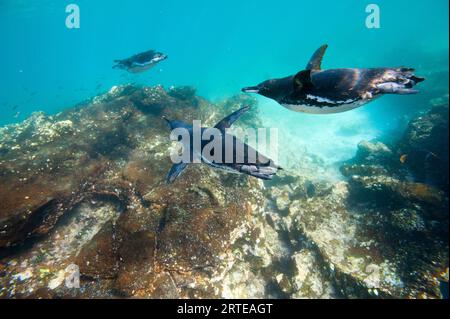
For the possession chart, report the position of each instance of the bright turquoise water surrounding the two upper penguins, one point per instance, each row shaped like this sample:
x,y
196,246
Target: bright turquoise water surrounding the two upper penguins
x,y
220,47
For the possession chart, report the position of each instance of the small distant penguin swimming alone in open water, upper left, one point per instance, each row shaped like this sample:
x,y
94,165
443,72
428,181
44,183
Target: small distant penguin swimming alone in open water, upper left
x,y
140,62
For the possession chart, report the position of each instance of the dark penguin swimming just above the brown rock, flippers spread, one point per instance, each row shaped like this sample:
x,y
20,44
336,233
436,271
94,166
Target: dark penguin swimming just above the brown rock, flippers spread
x,y
244,159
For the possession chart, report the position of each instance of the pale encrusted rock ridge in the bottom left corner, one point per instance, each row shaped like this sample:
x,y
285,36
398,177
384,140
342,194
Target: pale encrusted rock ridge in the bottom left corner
x,y
38,268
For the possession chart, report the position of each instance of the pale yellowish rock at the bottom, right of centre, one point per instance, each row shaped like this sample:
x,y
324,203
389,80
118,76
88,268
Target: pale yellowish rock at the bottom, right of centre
x,y
331,231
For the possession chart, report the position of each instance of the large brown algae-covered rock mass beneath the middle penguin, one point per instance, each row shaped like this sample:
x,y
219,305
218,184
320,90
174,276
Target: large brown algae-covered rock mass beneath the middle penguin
x,y
167,242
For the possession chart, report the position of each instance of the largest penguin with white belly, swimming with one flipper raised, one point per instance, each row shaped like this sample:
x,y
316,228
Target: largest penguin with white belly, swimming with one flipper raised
x,y
337,90
